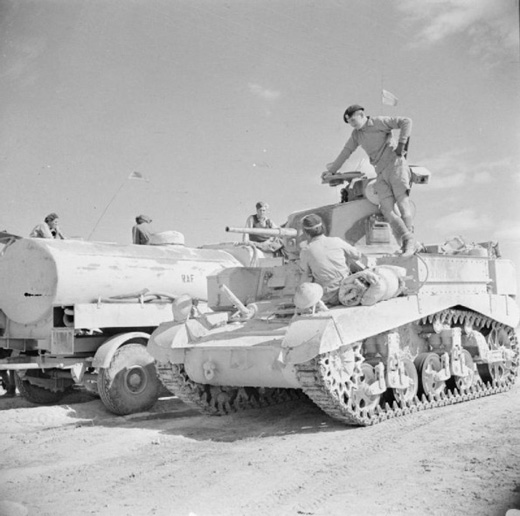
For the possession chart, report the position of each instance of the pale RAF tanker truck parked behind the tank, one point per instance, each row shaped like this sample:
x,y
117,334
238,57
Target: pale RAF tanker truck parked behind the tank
x,y
80,313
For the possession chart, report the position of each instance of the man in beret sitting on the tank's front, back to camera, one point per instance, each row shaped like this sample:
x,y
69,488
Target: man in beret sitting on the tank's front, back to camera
x,y
325,260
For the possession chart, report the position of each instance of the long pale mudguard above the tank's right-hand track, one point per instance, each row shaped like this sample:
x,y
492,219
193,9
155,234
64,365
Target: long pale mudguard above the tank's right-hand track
x,y
311,335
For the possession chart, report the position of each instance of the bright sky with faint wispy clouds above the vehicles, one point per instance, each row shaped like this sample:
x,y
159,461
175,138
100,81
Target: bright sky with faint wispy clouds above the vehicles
x,y
220,104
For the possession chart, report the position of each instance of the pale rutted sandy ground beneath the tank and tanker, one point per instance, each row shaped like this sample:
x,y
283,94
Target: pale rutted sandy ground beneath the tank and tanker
x,y
76,458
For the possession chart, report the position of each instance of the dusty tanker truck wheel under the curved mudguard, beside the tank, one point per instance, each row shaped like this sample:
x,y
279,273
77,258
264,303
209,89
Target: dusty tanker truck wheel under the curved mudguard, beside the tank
x,y
130,383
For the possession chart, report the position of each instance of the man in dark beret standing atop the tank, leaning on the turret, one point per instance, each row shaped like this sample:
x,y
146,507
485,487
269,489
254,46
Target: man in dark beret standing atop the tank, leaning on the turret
x,y
374,135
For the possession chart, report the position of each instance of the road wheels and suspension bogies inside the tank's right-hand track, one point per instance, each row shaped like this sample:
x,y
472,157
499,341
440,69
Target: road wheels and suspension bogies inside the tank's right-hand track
x,y
448,355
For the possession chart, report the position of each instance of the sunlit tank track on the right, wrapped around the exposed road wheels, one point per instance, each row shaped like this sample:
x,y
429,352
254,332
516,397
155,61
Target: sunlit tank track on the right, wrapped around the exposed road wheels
x,y
315,387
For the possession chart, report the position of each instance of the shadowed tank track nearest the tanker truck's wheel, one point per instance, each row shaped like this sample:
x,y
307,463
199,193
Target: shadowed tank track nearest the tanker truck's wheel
x,y
217,400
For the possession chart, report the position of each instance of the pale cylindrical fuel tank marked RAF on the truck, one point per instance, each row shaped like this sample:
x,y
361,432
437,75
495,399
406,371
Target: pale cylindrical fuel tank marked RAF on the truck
x,y
36,274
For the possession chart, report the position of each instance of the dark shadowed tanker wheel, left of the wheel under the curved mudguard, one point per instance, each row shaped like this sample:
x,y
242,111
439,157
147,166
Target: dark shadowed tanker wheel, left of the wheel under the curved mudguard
x,y
35,386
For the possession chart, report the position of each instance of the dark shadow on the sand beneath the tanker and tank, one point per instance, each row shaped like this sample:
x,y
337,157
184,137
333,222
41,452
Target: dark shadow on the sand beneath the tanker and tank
x,y
170,416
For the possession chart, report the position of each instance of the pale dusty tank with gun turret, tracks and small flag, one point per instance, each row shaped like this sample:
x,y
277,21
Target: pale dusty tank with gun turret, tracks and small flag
x,y
410,333
